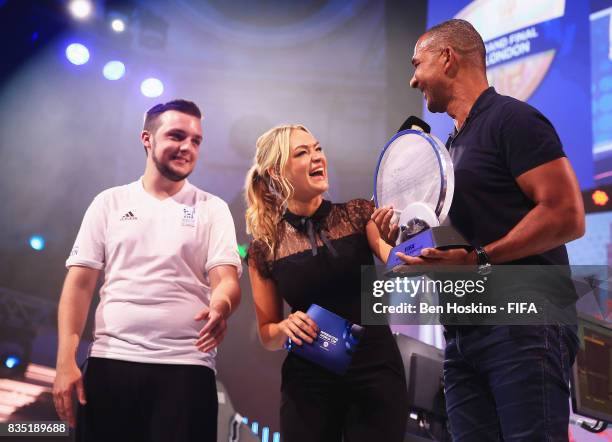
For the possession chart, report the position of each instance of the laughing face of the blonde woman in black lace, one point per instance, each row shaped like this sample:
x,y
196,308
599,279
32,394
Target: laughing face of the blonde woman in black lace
x,y
306,167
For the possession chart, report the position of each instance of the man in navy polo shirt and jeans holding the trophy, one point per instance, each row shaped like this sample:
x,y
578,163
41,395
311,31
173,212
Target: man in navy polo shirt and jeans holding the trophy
x,y
517,201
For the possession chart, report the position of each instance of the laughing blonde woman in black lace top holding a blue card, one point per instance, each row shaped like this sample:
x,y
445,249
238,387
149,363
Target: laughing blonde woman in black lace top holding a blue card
x,y
308,250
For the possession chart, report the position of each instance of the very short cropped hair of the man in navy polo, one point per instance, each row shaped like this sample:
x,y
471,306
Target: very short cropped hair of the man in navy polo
x,y
462,37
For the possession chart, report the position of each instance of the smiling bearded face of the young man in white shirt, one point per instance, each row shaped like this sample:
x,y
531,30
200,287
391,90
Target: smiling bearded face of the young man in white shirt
x,y
175,144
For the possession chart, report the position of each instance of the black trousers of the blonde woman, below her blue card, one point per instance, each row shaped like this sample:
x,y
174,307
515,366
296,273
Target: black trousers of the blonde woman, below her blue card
x,y
368,403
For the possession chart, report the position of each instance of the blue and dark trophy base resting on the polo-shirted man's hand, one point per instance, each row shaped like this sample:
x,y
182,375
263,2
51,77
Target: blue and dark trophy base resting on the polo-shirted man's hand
x,y
440,237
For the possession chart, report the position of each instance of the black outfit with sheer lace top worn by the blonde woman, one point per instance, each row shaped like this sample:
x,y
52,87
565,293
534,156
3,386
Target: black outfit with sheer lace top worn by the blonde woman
x,y
318,260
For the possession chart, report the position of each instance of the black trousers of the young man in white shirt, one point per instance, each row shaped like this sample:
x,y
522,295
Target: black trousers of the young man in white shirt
x,y
137,402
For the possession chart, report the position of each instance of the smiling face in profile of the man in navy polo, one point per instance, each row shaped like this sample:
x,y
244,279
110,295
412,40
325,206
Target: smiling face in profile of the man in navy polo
x,y
429,75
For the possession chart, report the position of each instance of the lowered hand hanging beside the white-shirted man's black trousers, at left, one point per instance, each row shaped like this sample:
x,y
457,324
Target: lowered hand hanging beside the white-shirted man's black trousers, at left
x,y
67,380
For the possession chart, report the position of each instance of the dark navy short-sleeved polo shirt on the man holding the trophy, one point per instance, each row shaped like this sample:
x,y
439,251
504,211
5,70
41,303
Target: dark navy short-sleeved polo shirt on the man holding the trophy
x,y
501,139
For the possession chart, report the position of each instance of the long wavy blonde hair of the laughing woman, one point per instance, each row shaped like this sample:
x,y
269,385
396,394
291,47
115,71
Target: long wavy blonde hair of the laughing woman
x,y
266,188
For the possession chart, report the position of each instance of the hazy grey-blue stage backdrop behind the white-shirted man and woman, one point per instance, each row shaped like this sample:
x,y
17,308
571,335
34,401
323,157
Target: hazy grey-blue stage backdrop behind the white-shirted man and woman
x,y
341,68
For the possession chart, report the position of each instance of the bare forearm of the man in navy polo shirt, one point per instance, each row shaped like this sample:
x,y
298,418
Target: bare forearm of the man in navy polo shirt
x,y
542,229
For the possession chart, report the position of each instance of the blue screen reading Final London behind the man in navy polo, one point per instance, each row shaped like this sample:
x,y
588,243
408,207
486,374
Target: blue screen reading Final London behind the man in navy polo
x,y
538,52
